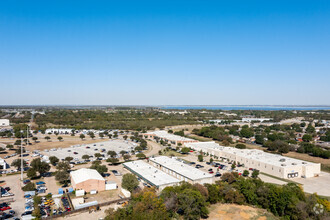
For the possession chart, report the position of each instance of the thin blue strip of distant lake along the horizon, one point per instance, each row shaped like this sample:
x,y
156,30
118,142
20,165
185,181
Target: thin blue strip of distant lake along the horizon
x,y
248,107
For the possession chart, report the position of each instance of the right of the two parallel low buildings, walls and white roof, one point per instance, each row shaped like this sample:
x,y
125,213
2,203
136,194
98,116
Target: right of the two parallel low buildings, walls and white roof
x,y
181,170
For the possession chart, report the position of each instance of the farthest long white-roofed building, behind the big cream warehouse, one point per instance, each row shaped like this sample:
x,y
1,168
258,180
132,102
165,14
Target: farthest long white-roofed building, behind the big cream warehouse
x,y
170,138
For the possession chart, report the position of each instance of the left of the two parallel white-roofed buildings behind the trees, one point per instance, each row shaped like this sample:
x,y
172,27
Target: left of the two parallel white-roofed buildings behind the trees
x,y
151,174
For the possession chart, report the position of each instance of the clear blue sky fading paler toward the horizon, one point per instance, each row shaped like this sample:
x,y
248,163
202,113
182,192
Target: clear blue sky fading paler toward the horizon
x,y
165,52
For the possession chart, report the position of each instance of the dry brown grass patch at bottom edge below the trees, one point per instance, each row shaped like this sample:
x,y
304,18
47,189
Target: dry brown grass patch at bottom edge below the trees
x,y
238,212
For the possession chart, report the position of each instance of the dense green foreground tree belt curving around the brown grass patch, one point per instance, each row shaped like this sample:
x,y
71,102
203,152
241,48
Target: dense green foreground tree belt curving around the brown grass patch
x,y
192,201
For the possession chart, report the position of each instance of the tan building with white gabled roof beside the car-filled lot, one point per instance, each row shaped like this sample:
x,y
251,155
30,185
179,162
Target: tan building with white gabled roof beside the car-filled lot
x,y
87,179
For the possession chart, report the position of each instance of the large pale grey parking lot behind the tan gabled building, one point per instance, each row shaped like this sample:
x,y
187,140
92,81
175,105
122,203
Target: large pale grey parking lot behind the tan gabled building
x,y
91,149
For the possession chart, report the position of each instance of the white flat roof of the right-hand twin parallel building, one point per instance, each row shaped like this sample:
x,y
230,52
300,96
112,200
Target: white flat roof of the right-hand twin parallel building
x,y
181,168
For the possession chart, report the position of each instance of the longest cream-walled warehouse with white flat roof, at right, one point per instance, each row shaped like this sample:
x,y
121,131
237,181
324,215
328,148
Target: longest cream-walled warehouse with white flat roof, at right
x,y
273,164
